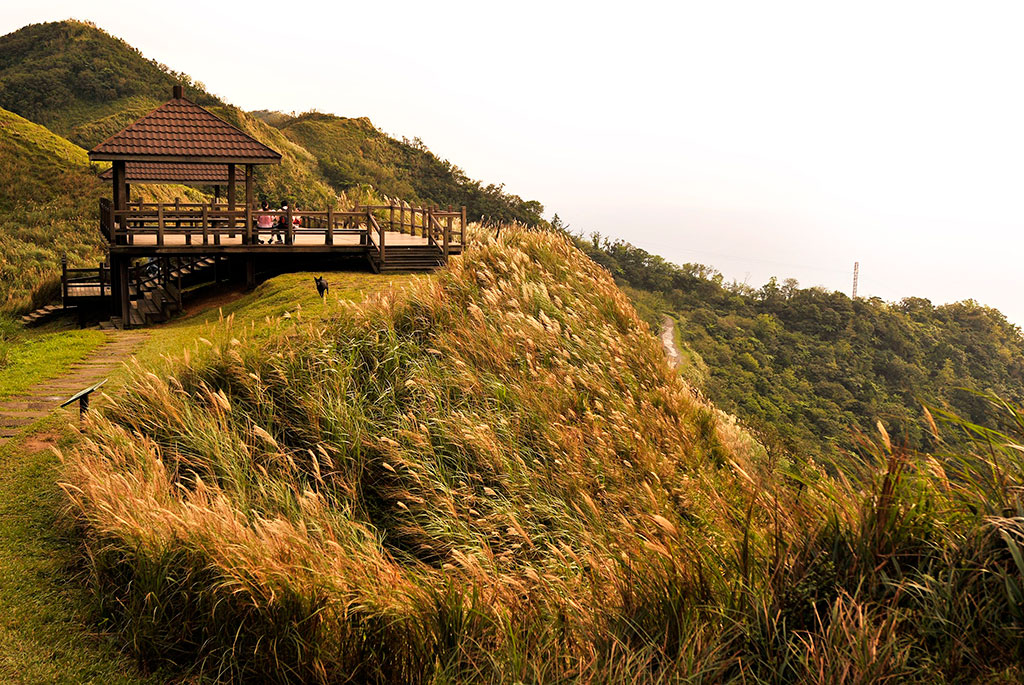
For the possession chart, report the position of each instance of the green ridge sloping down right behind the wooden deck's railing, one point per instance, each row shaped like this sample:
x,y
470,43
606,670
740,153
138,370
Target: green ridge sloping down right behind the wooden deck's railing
x,y
354,152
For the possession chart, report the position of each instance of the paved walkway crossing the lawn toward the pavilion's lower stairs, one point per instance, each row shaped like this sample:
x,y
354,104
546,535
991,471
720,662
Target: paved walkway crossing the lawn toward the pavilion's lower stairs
x,y
21,411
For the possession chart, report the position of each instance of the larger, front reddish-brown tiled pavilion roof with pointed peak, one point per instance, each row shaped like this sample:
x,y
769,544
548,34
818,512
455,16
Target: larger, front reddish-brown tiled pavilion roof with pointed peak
x,y
182,132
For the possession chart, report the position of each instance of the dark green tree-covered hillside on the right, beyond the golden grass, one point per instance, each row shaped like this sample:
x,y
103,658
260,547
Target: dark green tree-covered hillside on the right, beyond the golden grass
x,y
808,367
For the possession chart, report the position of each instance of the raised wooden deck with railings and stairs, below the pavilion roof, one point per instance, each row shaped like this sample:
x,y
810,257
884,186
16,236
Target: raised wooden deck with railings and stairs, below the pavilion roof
x,y
158,251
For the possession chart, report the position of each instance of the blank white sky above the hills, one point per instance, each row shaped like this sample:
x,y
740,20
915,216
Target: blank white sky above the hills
x,y
783,139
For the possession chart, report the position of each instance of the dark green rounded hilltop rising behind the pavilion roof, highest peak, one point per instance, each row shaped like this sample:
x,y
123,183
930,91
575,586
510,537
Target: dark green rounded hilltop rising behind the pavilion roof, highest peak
x,y
65,75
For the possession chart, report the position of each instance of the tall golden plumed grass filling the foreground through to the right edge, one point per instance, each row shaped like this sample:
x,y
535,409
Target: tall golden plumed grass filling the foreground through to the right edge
x,y
493,476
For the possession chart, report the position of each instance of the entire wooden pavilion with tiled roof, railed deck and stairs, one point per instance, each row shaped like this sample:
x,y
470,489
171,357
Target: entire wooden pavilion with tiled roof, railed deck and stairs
x,y
183,143
